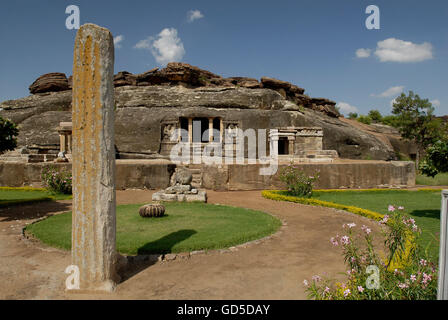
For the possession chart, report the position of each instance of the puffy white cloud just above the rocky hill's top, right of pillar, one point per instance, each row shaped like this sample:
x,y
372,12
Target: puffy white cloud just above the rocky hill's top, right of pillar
x,y
166,47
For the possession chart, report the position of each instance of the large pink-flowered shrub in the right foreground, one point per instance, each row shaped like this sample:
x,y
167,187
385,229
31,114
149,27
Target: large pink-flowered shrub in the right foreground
x,y
404,274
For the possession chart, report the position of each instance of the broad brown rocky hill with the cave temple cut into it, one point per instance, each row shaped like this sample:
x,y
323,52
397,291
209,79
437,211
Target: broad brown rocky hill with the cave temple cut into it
x,y
144,100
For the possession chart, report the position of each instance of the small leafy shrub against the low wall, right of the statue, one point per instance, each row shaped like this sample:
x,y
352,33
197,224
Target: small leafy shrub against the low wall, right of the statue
x,y
298,182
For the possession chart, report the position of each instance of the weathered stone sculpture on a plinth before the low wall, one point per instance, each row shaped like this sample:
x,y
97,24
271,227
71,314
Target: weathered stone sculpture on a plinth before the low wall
x,y
181,189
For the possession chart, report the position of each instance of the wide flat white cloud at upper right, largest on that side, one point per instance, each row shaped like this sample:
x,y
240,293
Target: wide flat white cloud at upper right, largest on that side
x,y
396,50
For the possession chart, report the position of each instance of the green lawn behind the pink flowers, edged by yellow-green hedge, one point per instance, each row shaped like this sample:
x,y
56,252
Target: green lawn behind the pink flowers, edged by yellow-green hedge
x,y
423,206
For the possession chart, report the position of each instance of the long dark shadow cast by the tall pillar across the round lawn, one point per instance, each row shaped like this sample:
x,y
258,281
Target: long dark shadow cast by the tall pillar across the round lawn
x,y
149,253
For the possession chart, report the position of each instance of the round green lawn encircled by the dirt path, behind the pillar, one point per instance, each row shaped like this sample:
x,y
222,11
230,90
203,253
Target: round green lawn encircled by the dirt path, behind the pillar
x,y
186,227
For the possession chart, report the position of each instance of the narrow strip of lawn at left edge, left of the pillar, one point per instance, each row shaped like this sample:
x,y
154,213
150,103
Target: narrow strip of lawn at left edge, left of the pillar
x,y
12,196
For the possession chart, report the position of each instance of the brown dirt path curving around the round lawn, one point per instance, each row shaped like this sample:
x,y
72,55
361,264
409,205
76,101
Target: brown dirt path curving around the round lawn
x,y
274,269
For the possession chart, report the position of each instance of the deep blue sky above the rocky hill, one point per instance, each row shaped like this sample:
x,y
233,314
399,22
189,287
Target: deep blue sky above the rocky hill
x,y
310,43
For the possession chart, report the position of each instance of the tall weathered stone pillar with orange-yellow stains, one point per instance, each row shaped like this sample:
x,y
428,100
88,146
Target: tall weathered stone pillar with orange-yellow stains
x,y
93,154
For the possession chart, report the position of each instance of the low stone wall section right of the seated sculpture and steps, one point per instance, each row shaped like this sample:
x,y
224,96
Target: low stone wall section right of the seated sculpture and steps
x,y
354,174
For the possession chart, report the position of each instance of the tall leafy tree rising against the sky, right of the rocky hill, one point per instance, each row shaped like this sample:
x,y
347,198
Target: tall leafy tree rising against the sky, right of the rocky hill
x,y
416,121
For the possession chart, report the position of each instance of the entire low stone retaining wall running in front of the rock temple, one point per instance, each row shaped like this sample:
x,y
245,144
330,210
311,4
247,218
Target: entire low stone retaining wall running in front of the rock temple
x,y
152,174
